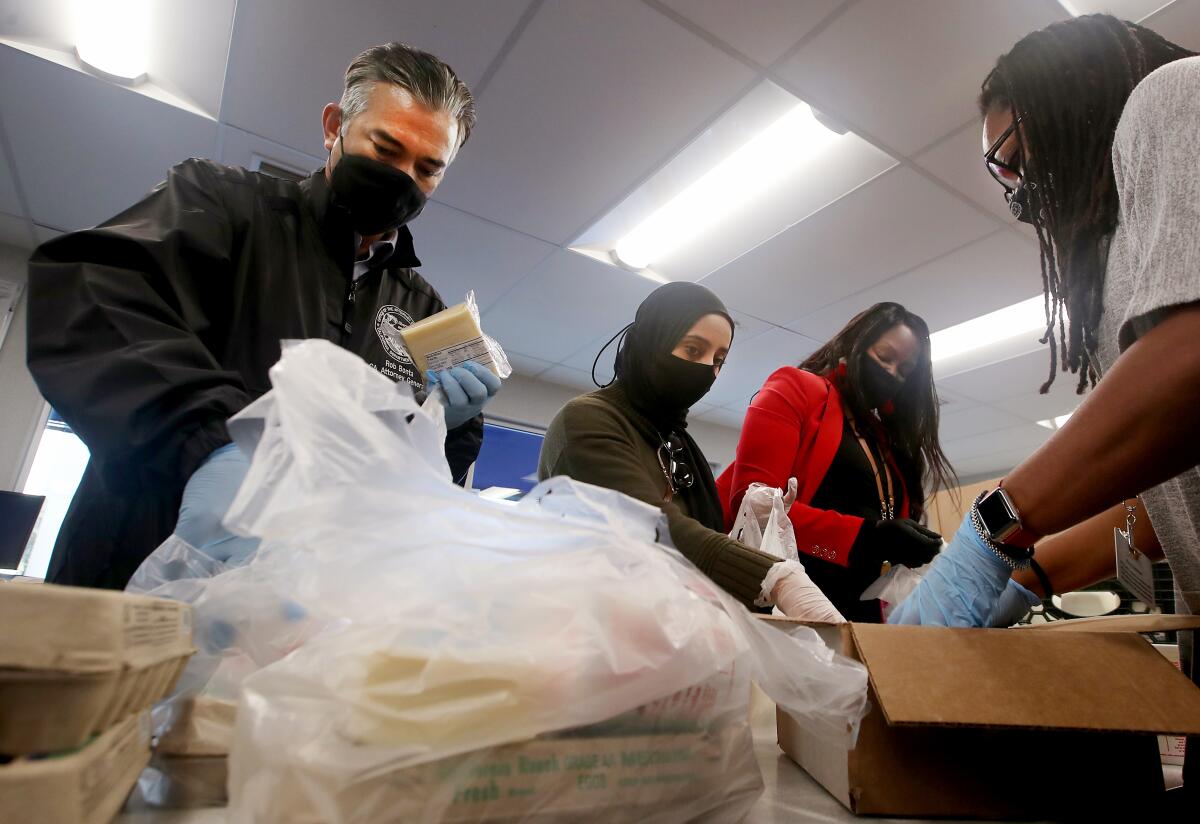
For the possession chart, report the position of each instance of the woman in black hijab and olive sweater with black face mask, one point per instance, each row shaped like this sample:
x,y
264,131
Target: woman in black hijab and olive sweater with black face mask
x,y
632,436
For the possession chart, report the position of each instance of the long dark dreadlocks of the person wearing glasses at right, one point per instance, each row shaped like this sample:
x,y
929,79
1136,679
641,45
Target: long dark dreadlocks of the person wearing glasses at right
x,y
1069,85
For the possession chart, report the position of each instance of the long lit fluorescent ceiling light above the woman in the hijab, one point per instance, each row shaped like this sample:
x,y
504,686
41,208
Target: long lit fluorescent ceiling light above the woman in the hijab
x,y
794,141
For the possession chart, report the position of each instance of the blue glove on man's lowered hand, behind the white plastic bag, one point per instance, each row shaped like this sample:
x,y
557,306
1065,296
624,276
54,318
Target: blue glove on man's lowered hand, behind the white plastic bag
x,y
207,497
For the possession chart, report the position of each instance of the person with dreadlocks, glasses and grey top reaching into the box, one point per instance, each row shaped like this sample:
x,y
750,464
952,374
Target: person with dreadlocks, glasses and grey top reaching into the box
x,y
1093,127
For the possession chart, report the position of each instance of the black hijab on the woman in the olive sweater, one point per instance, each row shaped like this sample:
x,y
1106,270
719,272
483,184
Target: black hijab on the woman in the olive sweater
x,y
661,323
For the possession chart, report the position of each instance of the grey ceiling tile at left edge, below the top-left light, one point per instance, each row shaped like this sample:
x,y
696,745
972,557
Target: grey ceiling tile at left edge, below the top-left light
x,y
98,149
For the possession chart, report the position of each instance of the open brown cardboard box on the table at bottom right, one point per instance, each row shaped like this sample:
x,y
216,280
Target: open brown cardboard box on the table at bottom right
x,y
1001,724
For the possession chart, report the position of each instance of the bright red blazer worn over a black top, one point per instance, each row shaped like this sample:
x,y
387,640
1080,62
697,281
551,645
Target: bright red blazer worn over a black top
x,y
793,430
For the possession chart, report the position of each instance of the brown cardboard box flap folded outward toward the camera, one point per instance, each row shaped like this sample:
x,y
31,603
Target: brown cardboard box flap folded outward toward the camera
x,y
998,678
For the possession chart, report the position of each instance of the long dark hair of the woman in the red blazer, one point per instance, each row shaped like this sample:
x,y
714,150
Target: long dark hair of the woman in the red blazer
x,y
913,425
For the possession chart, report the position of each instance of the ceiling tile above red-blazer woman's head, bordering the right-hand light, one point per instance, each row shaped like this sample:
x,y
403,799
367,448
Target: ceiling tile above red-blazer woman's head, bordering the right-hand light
x,y
988,275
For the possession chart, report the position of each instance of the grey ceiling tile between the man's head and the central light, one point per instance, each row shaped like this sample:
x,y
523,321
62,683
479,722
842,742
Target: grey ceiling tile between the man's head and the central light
x,y
589,103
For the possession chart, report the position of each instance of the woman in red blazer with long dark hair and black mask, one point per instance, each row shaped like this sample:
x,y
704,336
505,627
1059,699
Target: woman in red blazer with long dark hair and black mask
x,y
856,424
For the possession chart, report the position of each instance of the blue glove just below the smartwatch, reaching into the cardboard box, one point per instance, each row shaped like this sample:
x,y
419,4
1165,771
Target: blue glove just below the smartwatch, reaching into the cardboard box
x,y
962,587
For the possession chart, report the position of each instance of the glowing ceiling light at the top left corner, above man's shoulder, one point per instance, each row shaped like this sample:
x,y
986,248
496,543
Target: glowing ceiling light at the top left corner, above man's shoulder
x,y
113,38
